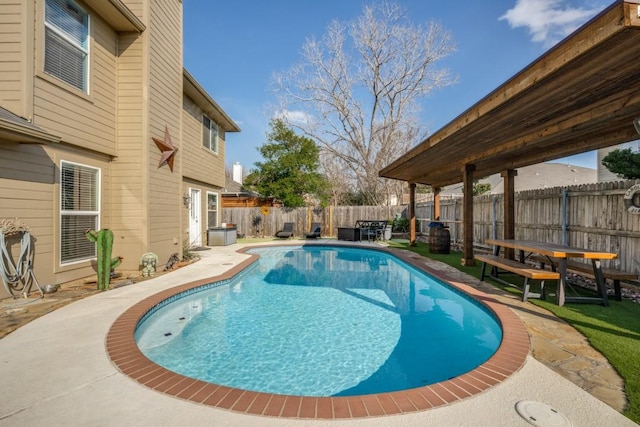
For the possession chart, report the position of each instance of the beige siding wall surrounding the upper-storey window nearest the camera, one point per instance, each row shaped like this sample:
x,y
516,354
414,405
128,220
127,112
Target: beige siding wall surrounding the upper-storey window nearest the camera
x,y
87,121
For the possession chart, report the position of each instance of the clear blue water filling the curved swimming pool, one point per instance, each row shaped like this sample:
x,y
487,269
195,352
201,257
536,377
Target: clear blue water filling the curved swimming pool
x,y
322,321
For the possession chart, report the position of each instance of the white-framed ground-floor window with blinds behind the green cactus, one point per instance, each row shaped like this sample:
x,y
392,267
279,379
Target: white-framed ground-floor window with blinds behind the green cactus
x,y
79,211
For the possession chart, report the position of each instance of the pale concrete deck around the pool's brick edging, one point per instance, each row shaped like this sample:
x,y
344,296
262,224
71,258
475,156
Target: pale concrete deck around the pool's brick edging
x,y
56,371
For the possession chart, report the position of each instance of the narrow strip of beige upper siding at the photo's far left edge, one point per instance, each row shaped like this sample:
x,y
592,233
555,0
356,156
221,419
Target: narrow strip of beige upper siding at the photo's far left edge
x,y
14,62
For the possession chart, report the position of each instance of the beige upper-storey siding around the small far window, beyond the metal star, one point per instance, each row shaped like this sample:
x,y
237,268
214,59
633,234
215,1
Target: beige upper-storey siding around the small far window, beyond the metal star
x,y
203,165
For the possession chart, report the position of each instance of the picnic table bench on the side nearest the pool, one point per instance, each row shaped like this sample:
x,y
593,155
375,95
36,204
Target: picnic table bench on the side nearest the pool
x,y
518,268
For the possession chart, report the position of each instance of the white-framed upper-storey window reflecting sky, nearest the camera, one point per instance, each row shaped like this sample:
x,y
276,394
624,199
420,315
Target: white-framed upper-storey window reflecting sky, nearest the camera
x,y
66,42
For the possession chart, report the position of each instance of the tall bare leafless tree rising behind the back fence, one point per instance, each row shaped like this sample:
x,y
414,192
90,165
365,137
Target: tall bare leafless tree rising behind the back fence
x,y
356,91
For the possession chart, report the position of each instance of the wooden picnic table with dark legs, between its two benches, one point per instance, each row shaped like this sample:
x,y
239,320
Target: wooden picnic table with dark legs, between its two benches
x,y
561,253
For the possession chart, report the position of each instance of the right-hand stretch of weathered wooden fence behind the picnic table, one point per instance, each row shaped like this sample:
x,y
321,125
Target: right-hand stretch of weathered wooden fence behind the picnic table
x,y
593,216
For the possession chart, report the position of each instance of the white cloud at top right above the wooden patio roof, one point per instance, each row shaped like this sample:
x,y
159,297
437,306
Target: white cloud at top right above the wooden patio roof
x,y
548,21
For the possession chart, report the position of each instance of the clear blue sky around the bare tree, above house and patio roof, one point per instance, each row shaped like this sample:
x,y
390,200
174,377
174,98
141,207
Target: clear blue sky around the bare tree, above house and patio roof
x,y
234,48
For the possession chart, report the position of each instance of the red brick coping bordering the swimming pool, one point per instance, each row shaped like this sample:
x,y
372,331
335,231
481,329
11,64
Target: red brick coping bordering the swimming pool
x,y
508,359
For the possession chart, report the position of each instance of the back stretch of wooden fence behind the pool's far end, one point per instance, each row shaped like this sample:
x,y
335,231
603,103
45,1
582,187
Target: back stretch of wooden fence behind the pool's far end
x,y
262,222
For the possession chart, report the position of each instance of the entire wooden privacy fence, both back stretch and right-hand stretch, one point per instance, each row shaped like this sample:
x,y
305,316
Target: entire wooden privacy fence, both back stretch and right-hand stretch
x,y
592,216
